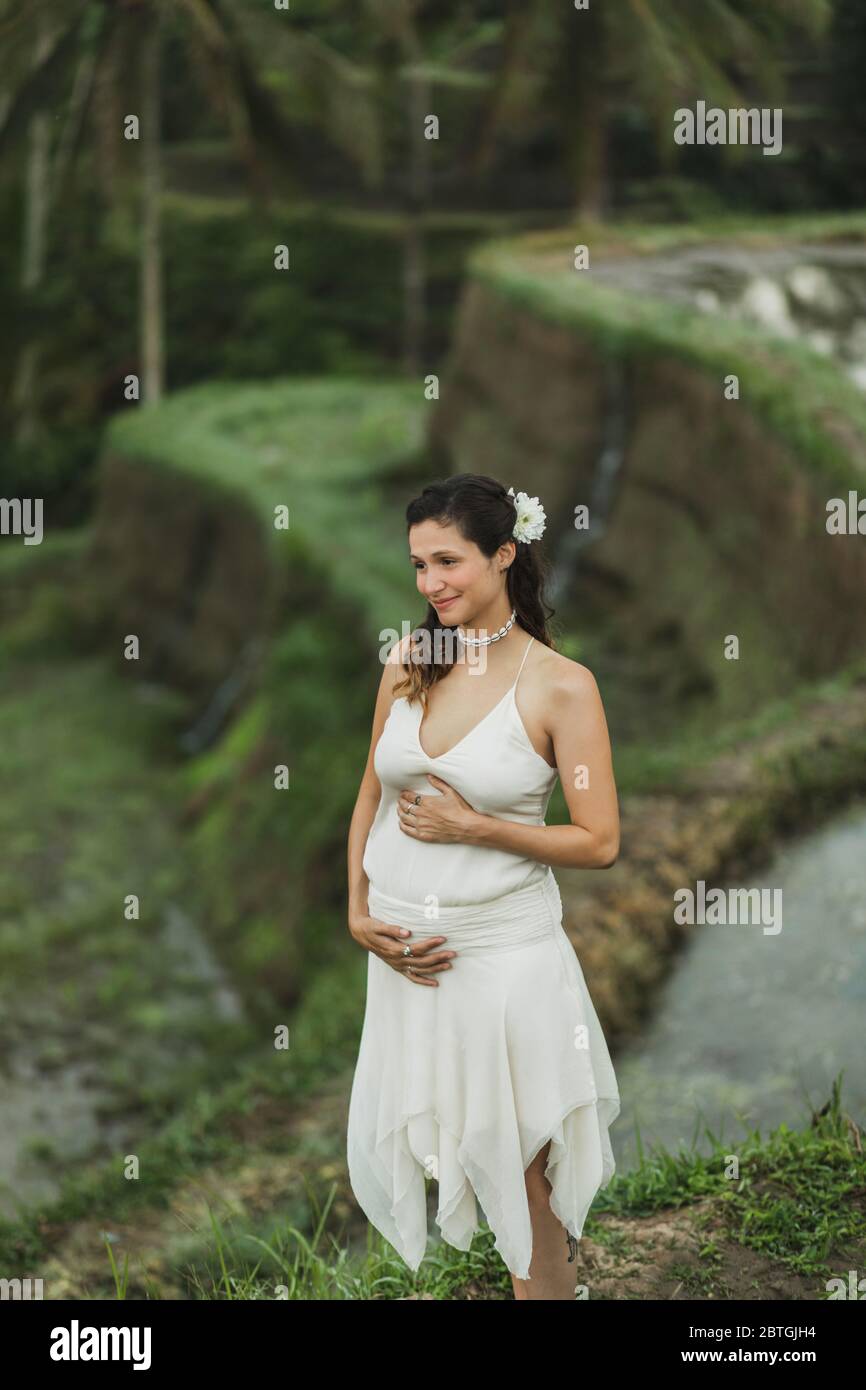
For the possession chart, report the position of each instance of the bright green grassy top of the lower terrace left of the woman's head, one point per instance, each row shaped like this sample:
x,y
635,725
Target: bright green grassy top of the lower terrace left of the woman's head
x,y
325,450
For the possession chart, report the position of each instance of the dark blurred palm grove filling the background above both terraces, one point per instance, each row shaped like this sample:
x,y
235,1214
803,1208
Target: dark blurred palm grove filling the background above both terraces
x,y
301,129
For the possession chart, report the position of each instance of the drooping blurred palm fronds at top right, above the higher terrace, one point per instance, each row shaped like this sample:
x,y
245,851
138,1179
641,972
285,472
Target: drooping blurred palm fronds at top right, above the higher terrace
x,y
661,52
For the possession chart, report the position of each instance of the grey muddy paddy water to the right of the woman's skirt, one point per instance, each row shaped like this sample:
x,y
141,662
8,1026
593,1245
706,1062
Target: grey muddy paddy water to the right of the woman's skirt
x,y
753,1028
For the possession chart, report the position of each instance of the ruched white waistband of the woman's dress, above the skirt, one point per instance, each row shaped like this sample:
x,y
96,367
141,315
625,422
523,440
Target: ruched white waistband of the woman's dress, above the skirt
x,y
516,919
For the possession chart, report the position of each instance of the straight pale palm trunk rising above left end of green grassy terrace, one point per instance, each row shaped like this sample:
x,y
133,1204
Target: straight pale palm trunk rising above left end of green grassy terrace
x,y
152,323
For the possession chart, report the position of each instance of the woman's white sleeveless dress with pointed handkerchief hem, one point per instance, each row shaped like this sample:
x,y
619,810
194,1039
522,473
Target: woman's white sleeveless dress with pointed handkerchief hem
x,y
468,1082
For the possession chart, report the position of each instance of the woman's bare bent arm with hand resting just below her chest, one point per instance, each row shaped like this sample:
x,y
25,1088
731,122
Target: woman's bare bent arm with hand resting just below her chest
x,y
582,747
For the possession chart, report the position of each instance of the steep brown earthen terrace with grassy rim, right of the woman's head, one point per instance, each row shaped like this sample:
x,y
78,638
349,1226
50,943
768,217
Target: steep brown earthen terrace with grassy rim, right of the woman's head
x,y
607,389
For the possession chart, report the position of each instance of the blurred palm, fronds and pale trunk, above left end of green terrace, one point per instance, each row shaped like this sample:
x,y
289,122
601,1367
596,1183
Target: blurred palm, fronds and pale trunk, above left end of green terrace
x,y
101,51
